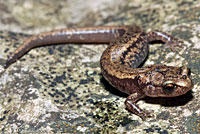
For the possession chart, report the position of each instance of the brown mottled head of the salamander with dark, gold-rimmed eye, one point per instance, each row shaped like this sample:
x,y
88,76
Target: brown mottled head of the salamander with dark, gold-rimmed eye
x,y
167,81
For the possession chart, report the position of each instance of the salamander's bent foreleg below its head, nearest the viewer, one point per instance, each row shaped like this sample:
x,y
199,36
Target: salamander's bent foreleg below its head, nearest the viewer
x,y
133,107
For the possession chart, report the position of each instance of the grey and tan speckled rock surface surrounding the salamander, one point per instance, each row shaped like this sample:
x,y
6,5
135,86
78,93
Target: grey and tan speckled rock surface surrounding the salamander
x,y
60,88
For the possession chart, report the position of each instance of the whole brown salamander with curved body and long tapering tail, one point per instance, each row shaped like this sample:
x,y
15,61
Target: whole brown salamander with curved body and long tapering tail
x,y
127,50
